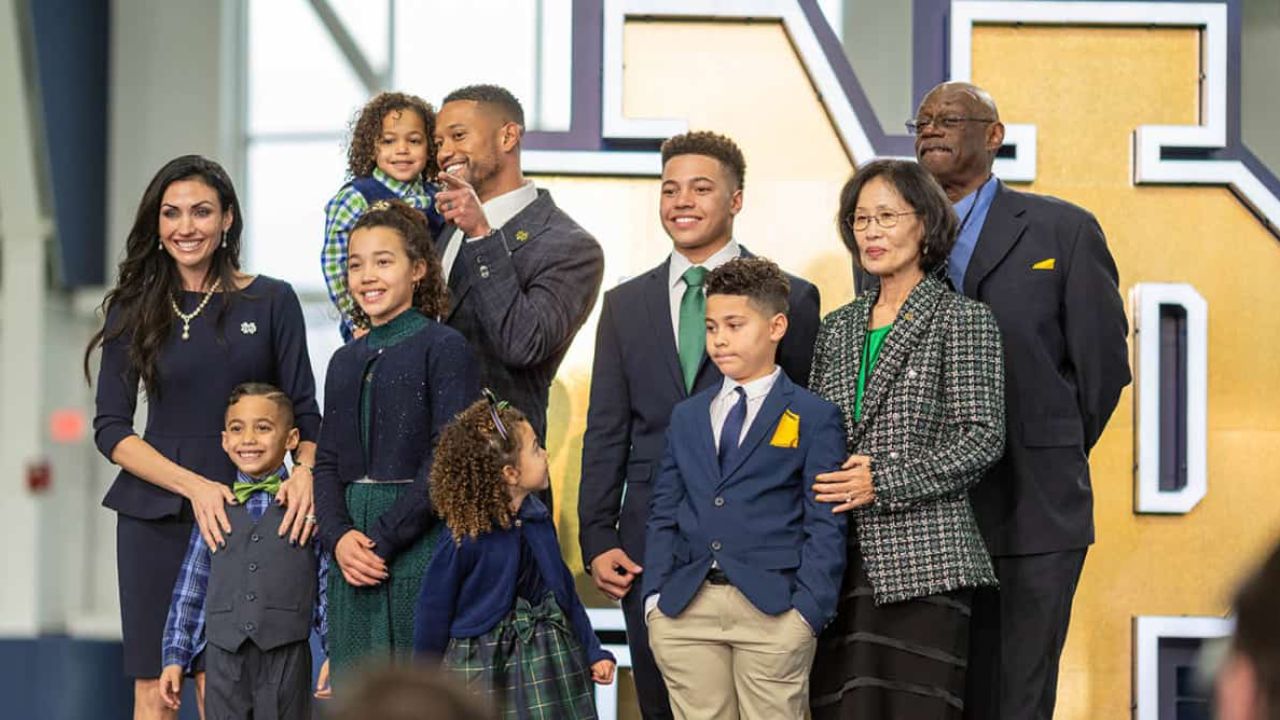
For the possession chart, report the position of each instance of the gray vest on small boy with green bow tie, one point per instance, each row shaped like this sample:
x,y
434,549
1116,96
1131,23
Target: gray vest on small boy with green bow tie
x,y
260,587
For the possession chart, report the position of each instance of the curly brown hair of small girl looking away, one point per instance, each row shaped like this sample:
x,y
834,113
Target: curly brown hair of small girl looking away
x,y
468,487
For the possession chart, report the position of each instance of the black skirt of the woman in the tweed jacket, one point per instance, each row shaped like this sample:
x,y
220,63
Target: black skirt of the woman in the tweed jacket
x,y
903,662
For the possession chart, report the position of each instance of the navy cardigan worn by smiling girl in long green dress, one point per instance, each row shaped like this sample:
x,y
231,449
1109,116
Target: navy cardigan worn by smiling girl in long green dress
x,y
422,384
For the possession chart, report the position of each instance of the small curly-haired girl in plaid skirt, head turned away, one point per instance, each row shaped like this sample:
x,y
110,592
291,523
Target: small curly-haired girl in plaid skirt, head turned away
x,y
497,601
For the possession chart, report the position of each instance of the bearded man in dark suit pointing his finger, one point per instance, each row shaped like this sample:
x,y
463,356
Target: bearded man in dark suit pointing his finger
x,y
523,275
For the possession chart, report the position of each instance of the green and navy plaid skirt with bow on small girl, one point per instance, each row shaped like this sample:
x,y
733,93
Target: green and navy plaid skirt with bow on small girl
x,y
531,664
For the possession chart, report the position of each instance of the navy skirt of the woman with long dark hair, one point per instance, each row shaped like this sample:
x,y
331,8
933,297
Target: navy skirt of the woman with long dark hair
x,y
148,558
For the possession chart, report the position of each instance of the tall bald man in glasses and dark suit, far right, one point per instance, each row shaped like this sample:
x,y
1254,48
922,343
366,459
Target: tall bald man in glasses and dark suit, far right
x,y
1044,267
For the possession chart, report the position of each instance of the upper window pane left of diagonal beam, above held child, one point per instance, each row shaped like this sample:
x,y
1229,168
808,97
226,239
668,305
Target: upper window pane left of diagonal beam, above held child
x,y
299,81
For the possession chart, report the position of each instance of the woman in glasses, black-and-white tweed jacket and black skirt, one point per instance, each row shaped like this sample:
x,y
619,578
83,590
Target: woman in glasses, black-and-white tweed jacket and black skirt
x,y
918,372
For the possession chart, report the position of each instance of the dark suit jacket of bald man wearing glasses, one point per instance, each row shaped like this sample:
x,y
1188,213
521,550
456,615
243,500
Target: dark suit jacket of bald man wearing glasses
x,y
1067,361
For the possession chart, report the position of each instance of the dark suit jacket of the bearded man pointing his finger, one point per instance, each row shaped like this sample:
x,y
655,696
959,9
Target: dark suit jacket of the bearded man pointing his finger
x,y
520,295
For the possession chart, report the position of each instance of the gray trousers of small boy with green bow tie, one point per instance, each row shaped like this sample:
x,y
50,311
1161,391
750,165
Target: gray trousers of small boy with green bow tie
x,y
257,685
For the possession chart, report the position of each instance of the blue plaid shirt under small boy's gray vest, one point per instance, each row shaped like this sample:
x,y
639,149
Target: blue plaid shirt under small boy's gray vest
x,y
185,628
